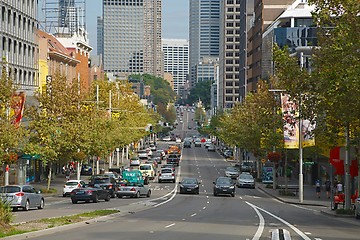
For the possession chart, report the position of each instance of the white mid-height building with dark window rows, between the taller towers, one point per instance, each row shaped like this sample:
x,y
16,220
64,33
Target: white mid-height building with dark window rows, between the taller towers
x,y
176,60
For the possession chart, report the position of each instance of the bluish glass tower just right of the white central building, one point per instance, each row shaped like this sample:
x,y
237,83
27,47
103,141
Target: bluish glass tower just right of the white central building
x,y
204,26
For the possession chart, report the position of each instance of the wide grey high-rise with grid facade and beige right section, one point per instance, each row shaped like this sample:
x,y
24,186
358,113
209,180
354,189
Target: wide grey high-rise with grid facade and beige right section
x,y
132,37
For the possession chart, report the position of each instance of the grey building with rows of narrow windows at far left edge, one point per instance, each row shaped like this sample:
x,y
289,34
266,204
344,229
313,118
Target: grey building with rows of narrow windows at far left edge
x,y
18,46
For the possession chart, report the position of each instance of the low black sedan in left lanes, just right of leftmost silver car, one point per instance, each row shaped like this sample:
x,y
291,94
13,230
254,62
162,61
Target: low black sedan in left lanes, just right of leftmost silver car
x,y
88,194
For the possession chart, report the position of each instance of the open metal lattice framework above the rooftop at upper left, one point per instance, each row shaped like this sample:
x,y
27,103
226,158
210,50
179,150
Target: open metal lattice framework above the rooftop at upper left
x,y
63,17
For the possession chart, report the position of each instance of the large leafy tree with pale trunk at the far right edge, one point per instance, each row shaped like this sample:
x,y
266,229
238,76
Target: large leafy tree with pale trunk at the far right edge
x,y
335,80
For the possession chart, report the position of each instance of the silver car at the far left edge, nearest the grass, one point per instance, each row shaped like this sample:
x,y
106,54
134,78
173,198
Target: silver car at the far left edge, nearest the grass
x,y
22,196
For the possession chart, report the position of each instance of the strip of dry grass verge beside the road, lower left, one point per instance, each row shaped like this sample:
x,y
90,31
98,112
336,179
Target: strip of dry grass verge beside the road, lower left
x,y
7,230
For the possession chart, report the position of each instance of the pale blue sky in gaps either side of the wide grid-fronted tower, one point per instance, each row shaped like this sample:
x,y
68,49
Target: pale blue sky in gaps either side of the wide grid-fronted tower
x,y
175,19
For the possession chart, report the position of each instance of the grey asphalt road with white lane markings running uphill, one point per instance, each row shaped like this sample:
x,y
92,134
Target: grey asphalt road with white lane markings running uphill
x,y
251,214
